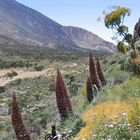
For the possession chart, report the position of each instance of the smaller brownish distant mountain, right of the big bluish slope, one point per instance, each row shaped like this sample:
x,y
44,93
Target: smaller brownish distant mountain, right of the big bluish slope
x,y
87,40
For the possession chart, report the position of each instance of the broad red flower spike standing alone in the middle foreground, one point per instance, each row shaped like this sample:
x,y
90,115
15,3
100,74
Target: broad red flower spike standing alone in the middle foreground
x,y
63,102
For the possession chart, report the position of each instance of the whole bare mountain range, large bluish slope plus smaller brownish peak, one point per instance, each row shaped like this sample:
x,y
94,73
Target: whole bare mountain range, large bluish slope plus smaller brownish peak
x,y
28,26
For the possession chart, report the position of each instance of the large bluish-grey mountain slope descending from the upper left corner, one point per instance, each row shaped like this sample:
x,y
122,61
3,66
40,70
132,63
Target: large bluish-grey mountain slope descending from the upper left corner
x,y
26,25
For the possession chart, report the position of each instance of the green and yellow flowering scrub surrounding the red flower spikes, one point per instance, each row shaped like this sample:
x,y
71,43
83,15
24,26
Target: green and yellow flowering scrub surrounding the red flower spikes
x,y
37,102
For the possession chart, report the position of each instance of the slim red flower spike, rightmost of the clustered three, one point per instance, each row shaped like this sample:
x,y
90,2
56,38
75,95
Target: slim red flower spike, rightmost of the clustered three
x,y
100,72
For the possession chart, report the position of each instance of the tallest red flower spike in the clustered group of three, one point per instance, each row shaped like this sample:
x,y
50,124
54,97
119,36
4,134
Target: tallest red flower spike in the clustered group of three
x,y
93,72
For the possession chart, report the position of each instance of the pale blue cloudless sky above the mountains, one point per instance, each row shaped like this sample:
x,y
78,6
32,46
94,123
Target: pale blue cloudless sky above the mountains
x,y
84,13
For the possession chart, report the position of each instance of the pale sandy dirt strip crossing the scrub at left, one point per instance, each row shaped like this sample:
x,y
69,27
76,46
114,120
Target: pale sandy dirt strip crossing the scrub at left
x,y
23,74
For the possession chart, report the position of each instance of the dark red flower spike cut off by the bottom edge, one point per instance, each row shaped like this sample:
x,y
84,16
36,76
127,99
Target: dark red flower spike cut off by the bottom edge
x,y
17,122
